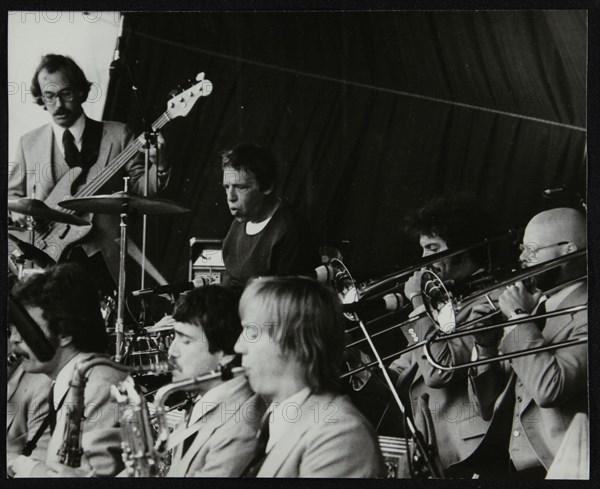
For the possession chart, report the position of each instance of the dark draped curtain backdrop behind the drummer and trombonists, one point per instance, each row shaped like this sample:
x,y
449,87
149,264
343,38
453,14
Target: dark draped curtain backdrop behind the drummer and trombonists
x,y
331,93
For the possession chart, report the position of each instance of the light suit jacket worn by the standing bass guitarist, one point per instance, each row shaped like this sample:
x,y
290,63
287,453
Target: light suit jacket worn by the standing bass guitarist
x,y
35,164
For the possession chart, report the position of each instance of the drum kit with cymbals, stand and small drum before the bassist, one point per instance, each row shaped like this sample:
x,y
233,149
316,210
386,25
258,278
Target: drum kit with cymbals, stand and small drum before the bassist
x,y
25,258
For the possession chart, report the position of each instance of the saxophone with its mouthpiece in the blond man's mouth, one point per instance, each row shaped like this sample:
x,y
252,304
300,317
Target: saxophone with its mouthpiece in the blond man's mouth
x,y
143,456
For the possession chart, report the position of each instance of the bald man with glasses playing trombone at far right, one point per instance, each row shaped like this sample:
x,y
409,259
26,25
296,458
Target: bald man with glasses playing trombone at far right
x,y
544,390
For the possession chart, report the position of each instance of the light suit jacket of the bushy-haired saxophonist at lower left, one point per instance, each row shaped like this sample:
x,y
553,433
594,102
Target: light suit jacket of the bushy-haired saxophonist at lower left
x,y
101,435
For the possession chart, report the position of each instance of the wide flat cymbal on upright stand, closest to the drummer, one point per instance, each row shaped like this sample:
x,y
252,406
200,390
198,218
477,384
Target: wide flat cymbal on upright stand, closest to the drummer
x,y
115,203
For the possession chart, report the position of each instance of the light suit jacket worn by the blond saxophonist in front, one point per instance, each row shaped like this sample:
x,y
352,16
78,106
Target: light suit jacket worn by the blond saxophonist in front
x,y
329,438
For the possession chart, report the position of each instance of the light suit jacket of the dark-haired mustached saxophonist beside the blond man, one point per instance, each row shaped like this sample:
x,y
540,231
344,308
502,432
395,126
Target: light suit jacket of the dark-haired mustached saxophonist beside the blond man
x,y
225,435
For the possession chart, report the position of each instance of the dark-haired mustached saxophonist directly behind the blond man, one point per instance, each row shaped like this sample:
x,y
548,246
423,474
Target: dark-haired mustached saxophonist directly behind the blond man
x,y
217,437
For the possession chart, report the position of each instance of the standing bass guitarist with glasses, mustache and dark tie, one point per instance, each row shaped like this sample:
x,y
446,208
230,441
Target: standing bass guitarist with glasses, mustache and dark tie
x,y
46,154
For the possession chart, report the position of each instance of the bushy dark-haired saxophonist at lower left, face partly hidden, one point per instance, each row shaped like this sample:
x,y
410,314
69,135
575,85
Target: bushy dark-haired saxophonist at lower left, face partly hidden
x,y
63,301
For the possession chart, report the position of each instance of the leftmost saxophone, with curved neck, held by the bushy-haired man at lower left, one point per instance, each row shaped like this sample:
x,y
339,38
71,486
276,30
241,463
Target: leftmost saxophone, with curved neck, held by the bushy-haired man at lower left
x,y
71,451
